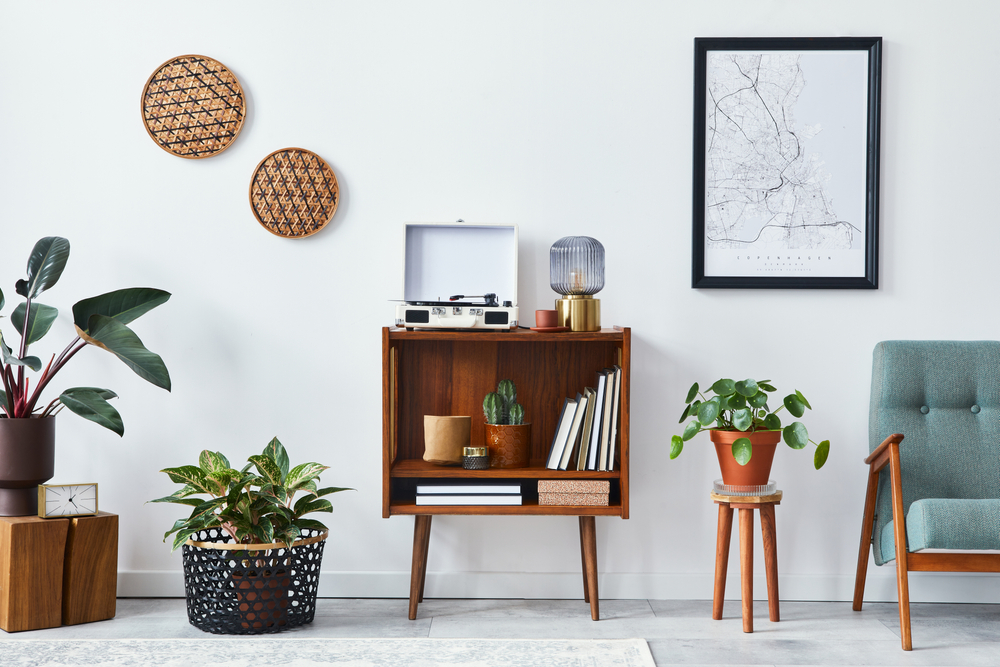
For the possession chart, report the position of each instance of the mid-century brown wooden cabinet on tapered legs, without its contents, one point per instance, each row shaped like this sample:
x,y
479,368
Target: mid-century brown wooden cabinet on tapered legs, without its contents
x,y
448,373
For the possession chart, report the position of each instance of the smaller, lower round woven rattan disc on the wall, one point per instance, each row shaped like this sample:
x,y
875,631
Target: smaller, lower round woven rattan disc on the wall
x,y
294,193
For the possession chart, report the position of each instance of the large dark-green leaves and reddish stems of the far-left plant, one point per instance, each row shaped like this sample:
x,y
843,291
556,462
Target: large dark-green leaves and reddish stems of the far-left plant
x,y
100,321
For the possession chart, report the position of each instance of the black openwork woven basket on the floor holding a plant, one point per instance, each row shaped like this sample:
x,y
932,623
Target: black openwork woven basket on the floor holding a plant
x,y
238,591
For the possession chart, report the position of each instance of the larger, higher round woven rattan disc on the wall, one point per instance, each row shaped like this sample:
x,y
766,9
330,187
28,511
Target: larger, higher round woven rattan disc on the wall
x,y
193,107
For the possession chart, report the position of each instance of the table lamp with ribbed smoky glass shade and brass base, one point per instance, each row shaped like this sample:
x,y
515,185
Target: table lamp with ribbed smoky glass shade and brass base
x,y
576,270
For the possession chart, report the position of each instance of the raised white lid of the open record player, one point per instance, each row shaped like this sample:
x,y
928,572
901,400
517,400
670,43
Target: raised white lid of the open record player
x,y
440,260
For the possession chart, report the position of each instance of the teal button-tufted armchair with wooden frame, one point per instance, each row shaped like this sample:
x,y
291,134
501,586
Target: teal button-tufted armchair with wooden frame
x,y
943,486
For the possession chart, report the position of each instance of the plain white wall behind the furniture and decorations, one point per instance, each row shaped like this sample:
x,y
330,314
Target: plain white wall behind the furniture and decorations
x,y
562,117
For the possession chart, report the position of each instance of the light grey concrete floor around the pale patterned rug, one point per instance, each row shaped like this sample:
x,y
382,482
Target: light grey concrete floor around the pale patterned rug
x,y
678,632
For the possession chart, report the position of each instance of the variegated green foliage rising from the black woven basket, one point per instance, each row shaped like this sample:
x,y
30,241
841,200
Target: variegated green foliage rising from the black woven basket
x,y
254,508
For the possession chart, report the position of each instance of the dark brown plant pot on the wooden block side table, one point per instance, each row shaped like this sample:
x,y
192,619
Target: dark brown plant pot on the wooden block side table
x,y
27,459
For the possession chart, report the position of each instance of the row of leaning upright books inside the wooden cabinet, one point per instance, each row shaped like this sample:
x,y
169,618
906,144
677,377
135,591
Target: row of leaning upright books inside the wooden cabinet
x,y
588,426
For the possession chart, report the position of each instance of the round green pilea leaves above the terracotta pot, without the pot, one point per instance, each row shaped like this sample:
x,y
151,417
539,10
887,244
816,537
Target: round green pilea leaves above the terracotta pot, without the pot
x,y
742,406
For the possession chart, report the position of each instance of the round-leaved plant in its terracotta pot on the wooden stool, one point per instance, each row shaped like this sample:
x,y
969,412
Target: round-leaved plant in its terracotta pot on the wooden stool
x,y
745,429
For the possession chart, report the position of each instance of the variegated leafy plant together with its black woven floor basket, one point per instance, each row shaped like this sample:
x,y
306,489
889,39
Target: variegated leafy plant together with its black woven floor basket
x,y
255,565
